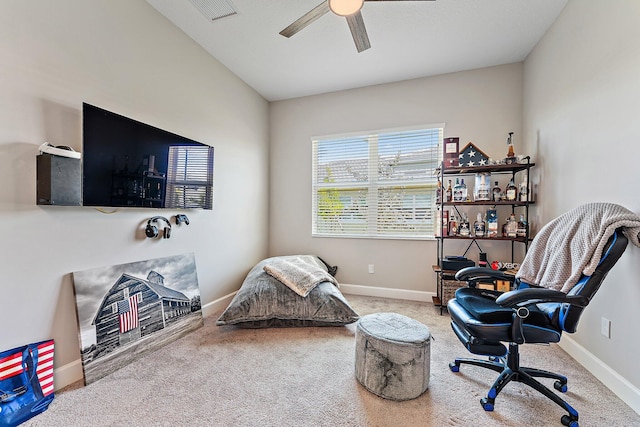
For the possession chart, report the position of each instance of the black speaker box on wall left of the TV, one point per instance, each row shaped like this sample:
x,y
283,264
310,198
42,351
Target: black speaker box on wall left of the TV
x,y
59,181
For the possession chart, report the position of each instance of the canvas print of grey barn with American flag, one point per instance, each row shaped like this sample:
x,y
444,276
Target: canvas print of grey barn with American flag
x,y
126,311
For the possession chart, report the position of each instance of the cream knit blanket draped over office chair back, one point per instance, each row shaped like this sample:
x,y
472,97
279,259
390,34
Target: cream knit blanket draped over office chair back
x,y
572,244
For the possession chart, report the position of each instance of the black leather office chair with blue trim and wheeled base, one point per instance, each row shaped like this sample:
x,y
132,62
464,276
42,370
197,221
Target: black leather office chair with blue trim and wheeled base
x,y
483,320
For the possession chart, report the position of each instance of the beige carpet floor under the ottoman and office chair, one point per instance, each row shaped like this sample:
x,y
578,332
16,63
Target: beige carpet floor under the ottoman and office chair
x,y
226,376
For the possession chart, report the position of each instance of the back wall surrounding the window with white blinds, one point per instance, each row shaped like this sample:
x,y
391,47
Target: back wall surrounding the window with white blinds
x,y
481,106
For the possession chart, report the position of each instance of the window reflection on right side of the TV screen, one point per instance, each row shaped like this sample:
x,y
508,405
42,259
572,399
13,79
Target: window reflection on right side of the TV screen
x,y
190,177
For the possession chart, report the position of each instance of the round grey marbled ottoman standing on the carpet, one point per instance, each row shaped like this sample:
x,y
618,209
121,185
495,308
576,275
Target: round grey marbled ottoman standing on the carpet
x,y
393,355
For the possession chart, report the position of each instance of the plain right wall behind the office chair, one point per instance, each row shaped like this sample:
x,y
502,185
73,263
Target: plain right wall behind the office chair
x,y
582,101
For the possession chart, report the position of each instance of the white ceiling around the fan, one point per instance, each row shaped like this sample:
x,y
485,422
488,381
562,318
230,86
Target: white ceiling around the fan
x,y
408,40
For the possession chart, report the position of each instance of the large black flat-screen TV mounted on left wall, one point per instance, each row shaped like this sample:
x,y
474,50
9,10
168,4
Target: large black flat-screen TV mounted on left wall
x,y
126,163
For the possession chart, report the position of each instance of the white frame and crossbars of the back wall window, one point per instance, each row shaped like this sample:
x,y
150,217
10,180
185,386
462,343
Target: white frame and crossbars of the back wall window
x,y
372,187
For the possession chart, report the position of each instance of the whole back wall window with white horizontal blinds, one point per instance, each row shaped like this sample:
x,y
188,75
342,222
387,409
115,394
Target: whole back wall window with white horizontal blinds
x,y
379,185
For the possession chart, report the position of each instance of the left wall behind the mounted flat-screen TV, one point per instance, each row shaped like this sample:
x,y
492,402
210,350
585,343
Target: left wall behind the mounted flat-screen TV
x,y
124,56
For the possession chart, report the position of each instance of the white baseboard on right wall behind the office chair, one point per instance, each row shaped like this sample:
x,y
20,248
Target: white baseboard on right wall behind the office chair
x,y
615,382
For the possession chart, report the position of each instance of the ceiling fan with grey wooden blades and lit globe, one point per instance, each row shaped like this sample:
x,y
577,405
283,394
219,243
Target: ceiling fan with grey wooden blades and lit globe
x,y
350,9
